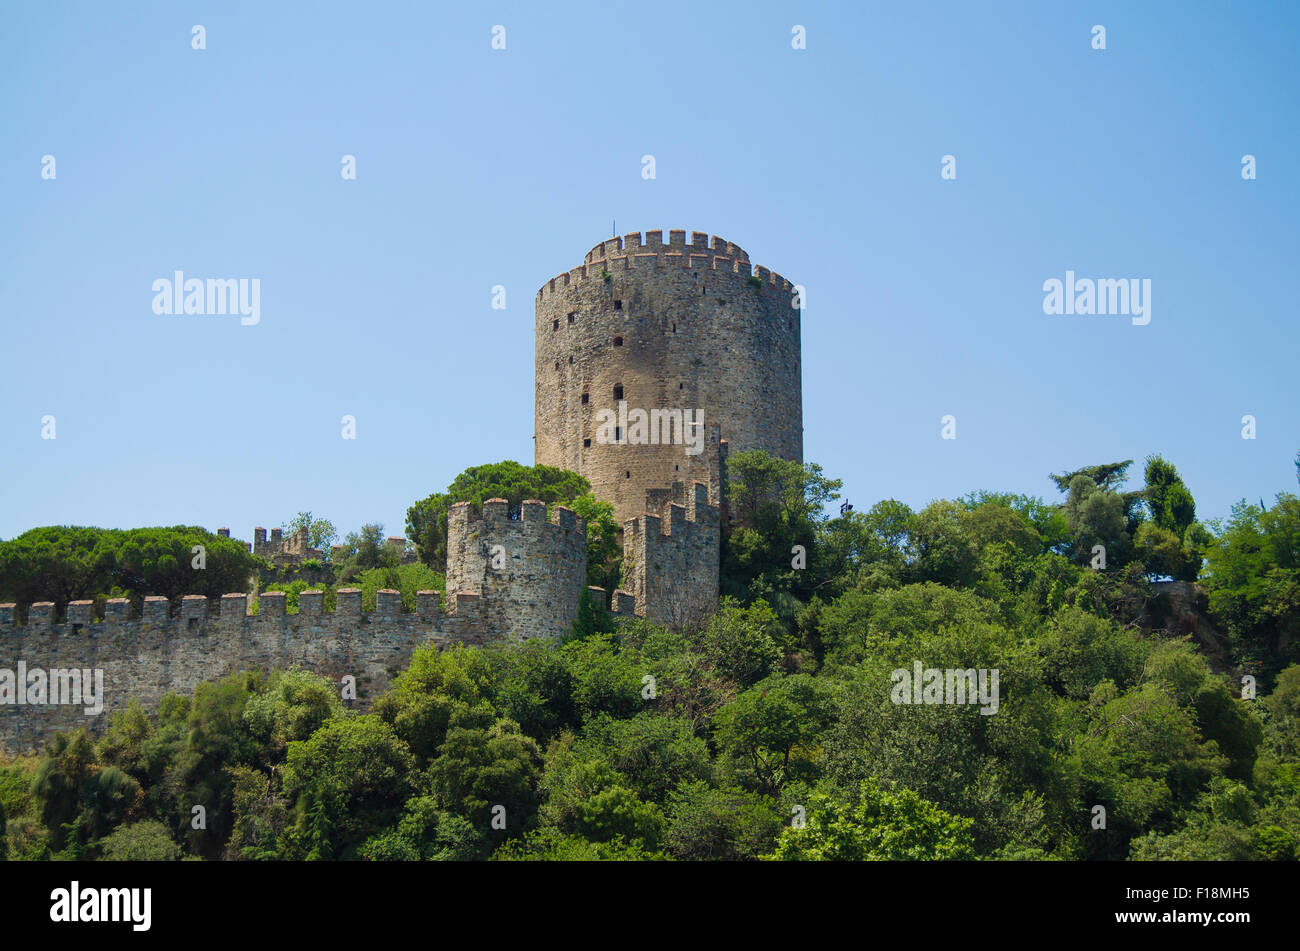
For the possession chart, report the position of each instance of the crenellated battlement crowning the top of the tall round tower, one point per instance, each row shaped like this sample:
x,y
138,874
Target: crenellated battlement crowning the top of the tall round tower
x,y
634,251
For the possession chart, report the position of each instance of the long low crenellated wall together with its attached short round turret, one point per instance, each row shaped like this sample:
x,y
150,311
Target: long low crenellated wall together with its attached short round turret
x,y
534,594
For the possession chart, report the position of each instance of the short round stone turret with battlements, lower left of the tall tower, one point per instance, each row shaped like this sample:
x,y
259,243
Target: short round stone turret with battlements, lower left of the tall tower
x,y
543,566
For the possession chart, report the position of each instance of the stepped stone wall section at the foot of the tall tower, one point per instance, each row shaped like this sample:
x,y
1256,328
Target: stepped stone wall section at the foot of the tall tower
x,y
673,563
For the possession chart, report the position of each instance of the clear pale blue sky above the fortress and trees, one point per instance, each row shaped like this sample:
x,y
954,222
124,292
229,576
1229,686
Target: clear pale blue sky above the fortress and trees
x,y
480,168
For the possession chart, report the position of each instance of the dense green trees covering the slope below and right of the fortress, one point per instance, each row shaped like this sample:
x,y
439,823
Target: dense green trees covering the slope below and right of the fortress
x,y
773,729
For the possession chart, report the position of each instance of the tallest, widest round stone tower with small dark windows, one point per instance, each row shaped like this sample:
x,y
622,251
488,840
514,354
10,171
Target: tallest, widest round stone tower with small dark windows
x,y
657,359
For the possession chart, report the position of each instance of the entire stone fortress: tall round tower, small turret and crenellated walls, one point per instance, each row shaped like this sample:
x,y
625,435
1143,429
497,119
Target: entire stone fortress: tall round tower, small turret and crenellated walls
x,y
674,327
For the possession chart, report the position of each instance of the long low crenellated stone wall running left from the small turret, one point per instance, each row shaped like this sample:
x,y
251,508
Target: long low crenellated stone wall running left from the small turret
x,y
155,654
